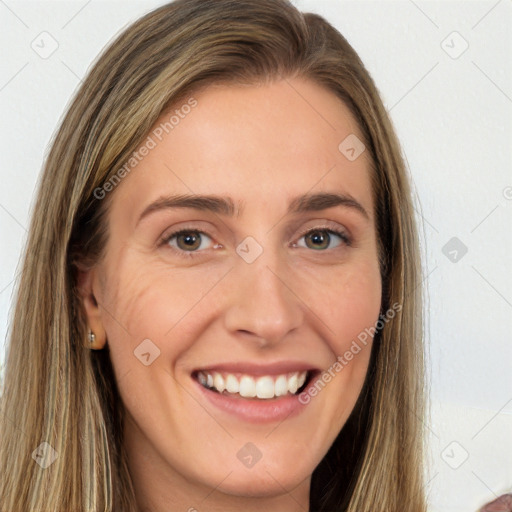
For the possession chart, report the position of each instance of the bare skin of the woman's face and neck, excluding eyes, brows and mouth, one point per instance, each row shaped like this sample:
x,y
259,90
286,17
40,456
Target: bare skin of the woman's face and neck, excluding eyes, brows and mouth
x,y
261,146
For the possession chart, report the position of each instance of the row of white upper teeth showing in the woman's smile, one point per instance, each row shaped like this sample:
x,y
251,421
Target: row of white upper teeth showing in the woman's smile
x,y
264,387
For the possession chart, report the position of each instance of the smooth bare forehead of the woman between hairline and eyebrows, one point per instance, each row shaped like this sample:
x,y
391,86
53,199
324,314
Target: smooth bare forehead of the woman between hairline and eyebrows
x,y
254,143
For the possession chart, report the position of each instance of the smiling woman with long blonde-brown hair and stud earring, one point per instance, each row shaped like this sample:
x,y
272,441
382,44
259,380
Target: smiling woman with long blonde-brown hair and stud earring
x,y
219,305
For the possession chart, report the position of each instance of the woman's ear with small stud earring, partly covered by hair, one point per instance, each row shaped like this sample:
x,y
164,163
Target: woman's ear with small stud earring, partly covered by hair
x,y
87,282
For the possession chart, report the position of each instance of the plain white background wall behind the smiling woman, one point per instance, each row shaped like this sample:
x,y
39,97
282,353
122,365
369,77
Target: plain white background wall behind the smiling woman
x,y
454,119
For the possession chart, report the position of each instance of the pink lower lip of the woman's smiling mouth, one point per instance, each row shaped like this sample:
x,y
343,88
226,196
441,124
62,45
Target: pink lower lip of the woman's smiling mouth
x,y
257,410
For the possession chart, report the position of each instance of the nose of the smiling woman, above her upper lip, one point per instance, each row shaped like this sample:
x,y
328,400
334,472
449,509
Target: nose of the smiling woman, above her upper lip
x,y
261,305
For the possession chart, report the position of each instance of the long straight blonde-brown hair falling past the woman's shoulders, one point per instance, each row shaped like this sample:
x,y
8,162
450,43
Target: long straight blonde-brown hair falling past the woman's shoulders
x,y
58,391
